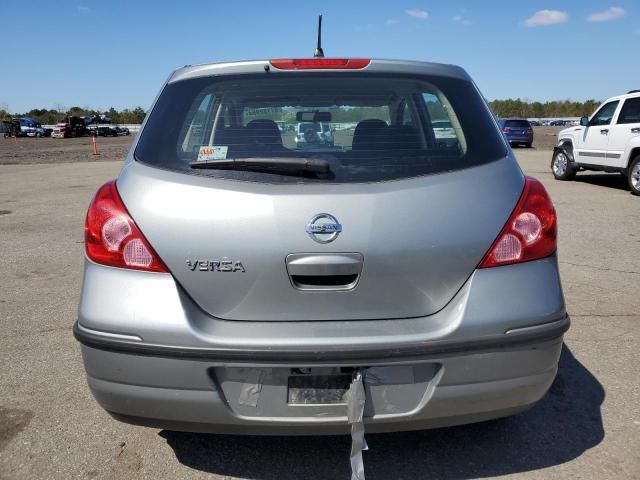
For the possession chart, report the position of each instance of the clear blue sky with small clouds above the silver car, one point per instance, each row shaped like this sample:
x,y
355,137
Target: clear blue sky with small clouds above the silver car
x,y
102,53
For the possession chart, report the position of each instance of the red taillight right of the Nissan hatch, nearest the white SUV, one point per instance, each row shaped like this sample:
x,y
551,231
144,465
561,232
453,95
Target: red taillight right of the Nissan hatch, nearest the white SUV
x,y
530,233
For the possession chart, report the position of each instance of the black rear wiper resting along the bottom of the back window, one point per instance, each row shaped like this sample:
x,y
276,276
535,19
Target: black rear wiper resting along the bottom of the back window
x,y
317,165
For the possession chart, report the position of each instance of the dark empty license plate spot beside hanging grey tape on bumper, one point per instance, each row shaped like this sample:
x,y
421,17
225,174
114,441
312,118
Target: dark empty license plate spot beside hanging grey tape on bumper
x,y
318,389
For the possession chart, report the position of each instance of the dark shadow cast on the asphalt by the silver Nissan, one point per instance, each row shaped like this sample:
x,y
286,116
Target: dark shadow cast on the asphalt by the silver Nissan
x,y
563,425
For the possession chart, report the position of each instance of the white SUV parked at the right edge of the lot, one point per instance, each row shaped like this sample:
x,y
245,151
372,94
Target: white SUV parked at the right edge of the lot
x,y
608,141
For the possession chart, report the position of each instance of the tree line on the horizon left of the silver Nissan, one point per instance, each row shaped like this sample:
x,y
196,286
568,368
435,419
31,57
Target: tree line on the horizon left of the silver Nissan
x,y
54,115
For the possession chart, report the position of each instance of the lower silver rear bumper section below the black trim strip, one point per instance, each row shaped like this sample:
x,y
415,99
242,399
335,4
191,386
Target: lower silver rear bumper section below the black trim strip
x,y
188,394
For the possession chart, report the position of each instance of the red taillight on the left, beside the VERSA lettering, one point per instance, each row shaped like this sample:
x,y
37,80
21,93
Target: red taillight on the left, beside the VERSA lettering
x,y
112,238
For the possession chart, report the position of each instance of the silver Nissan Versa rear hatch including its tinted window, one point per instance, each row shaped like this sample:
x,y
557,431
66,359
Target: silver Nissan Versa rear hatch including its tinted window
x,y
393,230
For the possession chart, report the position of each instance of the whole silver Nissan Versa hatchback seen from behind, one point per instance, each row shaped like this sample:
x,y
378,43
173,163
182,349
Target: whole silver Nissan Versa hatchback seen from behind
x,y
237,283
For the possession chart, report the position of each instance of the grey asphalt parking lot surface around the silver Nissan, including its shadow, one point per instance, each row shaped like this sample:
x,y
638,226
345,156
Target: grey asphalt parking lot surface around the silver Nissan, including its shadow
x,y
587,426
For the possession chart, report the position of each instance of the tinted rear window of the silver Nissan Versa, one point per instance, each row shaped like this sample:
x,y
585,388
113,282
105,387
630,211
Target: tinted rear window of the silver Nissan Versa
x,y
369,128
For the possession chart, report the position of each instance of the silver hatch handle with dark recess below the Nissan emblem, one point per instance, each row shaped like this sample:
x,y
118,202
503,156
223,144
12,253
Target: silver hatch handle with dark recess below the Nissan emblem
x,y
324,271
